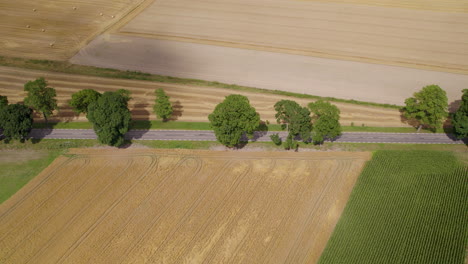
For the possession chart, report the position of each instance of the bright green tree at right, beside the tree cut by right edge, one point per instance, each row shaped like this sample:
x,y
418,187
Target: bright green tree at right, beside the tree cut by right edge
x,y
427,107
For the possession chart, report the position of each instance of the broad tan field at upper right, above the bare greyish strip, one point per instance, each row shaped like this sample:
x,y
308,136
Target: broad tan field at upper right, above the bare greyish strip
x,y
395,36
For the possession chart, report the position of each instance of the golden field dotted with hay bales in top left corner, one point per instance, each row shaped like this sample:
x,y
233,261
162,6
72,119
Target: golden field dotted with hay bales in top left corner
x,y
67,28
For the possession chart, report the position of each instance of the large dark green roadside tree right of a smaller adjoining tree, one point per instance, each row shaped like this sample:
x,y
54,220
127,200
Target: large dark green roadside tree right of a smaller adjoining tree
x,y
110,117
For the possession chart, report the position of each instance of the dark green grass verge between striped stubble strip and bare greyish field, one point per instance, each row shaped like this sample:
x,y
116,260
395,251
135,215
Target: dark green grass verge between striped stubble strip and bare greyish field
x,y
66,67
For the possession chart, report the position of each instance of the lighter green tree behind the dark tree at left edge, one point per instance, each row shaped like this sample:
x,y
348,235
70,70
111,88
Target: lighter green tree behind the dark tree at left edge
x,y
40,97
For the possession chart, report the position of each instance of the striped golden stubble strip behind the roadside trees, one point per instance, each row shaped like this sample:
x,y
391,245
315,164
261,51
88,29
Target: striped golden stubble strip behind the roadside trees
x,y
191,103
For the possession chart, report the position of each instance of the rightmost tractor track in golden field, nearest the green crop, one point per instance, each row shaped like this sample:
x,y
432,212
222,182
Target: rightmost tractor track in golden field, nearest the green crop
x,y
337,171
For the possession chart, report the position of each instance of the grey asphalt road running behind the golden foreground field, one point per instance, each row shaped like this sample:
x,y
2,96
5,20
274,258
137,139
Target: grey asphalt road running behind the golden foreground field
x,y
198,135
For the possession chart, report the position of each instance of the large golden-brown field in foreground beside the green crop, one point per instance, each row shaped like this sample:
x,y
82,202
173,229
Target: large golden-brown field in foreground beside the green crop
x,y
169,206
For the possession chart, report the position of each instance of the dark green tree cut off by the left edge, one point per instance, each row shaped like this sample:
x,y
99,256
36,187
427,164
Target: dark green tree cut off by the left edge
x,y
16,121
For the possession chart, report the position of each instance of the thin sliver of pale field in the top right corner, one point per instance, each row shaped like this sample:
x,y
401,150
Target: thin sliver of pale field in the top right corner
x,y
434,5
